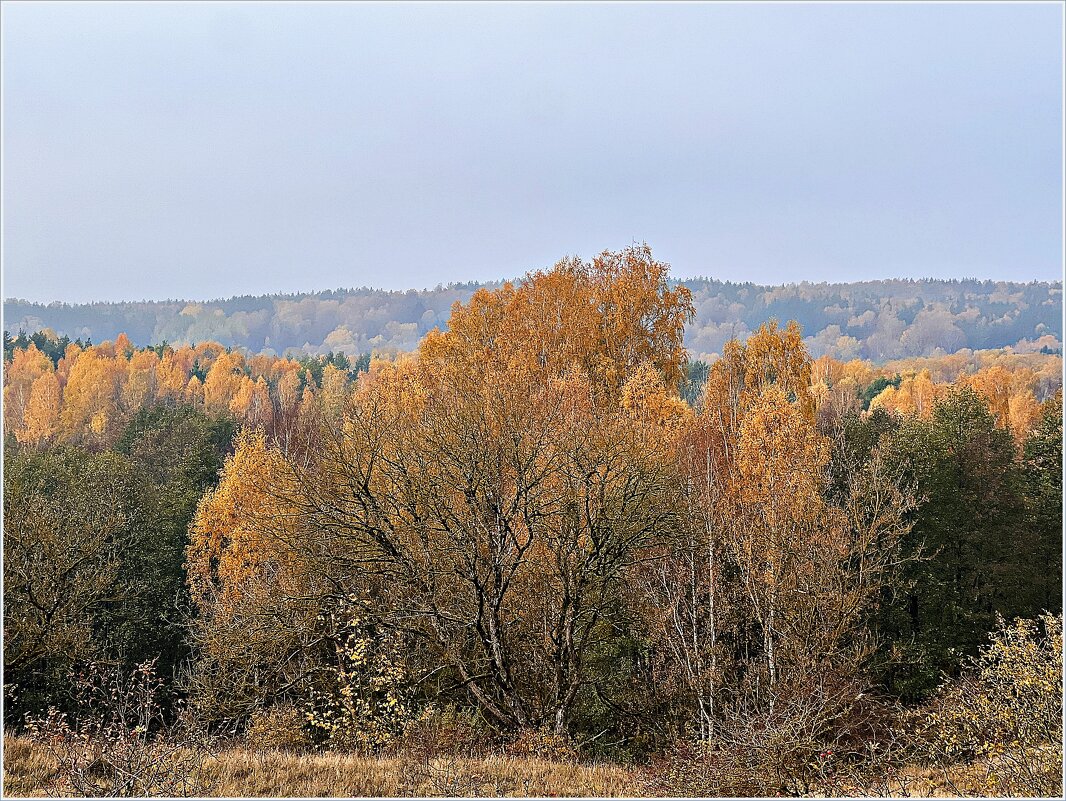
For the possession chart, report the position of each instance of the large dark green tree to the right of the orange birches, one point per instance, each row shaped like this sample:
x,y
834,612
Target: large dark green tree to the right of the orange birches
x,y
976,560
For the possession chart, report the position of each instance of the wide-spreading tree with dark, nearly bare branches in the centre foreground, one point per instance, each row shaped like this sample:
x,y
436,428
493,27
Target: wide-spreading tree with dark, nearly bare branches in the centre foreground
x,y
510,504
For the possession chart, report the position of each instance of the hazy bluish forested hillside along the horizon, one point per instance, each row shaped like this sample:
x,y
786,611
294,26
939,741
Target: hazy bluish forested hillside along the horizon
x,y
877,321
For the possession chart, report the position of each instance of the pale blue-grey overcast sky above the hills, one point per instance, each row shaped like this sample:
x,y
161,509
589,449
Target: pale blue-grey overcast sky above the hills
x,y
199,151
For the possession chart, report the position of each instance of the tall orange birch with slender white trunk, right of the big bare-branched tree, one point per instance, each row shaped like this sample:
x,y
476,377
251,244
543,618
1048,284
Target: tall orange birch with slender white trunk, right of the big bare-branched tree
x,y
758,468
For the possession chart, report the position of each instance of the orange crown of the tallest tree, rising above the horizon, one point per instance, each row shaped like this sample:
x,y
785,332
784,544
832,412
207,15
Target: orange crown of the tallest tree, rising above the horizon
x,y
605,319
